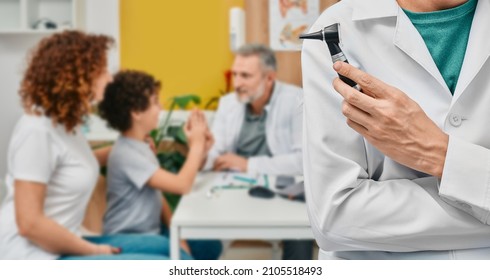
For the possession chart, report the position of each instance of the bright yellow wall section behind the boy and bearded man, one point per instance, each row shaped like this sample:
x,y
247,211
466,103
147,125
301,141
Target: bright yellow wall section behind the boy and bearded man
x,y
183,43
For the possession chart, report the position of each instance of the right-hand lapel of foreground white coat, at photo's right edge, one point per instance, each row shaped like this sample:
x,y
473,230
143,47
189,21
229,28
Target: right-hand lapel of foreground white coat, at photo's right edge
x,y
478,49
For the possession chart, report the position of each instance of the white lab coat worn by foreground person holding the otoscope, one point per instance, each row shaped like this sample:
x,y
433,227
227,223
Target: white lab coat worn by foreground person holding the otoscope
x,y
359,199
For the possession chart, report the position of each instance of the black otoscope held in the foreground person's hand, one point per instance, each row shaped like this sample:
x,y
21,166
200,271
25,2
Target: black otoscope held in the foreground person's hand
x,y
330,35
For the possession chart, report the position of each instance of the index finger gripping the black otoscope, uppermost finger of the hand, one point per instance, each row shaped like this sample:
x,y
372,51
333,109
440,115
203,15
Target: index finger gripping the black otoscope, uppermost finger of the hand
x,y
369,84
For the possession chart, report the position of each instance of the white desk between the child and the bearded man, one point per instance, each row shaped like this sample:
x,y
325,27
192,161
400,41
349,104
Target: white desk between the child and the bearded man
x,y
233,214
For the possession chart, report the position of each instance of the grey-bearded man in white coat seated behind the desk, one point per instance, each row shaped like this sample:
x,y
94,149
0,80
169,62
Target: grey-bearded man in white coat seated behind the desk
x,y
238,145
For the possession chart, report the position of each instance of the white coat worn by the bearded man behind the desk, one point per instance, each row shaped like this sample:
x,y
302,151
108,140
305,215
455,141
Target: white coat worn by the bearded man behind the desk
x,y
283,131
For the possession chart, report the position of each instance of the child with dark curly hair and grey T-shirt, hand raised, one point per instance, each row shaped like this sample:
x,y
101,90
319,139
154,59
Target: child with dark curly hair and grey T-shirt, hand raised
x,y
134,177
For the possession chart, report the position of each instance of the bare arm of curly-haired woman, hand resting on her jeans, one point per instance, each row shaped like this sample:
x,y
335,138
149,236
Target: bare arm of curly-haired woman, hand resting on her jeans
x,y
43,231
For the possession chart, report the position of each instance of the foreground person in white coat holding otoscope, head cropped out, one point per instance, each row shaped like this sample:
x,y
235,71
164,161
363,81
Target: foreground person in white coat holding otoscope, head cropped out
x,y
400,170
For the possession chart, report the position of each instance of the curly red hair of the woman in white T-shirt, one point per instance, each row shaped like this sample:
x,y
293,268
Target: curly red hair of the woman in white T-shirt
x,y
59,78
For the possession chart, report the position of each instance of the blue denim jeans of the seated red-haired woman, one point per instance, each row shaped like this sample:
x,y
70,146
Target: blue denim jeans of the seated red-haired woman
x,y
133,247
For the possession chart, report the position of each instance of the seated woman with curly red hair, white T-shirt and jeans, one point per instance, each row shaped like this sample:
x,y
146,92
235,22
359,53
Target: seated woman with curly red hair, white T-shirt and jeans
x,y
51,168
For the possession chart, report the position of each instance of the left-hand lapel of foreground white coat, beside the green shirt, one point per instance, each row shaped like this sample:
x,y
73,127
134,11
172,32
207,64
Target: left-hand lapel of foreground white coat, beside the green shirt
x,y
408,39
